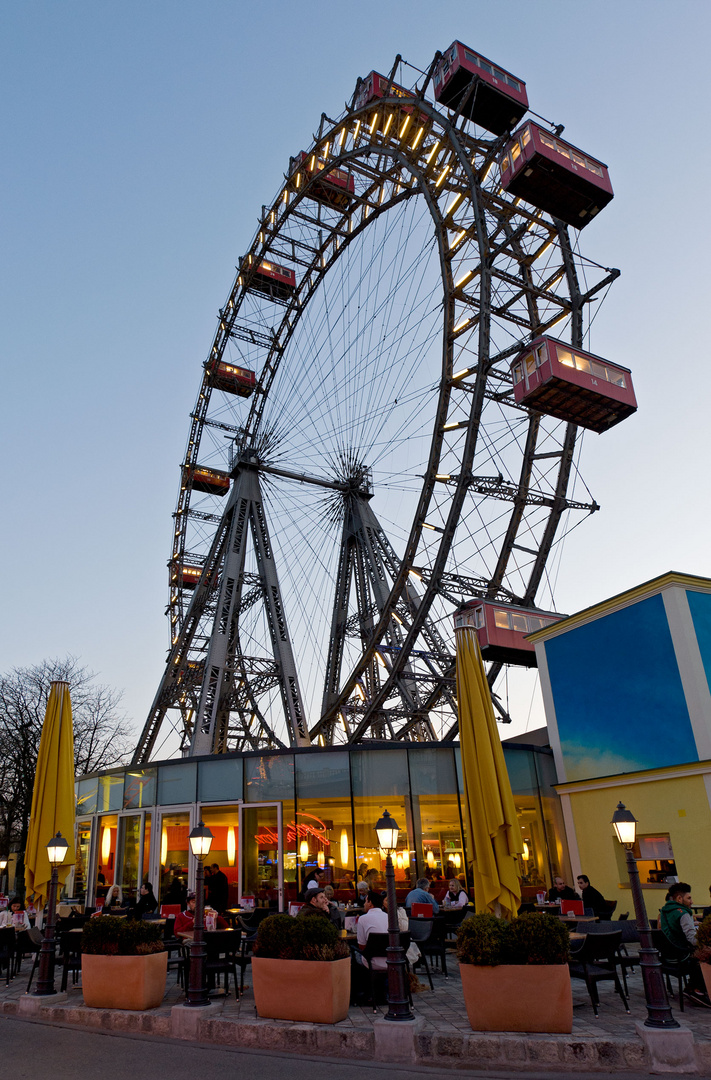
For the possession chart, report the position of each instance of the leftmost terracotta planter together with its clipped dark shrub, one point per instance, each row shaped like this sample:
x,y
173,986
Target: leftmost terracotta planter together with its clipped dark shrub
x,y
124,964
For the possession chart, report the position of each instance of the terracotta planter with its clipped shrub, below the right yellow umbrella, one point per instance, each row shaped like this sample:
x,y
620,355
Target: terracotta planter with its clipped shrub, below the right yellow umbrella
x,y
515,976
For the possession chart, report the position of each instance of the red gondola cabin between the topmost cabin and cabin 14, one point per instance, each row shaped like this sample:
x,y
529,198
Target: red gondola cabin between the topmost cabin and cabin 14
x,y
555,175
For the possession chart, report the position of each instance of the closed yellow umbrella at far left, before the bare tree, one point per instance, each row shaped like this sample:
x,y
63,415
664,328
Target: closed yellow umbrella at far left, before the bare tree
x,y
53,795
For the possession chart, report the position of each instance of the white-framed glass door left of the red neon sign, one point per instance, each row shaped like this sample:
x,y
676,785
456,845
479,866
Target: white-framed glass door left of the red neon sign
x,y
262,859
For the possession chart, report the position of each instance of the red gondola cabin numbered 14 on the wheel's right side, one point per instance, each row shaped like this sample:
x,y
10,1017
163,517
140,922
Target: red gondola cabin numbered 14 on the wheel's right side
x,y
556,380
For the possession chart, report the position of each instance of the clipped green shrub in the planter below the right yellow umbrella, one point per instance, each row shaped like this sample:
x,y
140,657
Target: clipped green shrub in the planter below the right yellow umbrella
x,y
531,939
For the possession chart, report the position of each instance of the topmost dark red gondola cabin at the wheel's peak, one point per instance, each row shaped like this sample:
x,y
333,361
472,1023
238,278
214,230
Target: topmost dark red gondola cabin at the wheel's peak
x,y
499,100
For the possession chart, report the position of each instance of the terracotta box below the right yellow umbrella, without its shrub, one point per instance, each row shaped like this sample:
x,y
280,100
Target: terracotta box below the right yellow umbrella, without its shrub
x,y
519,997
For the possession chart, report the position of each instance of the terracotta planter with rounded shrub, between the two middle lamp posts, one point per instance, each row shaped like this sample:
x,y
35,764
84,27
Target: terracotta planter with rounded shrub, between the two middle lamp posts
x,y
301,970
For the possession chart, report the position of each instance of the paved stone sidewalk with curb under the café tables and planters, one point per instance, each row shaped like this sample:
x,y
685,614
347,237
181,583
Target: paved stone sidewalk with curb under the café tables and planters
x,y
442,1036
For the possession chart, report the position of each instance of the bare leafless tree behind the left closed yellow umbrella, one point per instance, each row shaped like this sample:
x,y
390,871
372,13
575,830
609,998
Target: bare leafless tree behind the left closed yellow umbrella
x,y
102,735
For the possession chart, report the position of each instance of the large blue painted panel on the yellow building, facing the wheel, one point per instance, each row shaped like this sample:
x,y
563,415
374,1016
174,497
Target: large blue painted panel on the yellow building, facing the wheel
x,y
619,695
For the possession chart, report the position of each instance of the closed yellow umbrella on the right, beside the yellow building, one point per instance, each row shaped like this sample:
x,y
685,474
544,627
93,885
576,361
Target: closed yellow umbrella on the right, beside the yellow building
x,y
490,812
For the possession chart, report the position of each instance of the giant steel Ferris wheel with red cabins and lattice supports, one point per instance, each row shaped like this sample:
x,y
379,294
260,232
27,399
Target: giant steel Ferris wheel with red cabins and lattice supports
x,y
361,460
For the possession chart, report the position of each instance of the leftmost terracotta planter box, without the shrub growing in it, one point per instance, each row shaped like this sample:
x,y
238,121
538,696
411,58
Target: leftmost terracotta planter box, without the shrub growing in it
x,y
124,982
